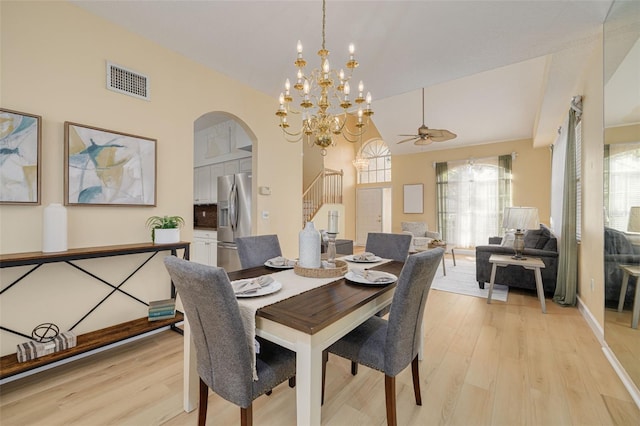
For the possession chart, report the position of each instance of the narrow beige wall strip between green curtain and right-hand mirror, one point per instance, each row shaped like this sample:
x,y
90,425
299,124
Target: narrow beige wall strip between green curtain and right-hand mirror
x,y
591,250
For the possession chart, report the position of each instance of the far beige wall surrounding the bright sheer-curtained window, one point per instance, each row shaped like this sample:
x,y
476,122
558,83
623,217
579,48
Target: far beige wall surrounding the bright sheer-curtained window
x,y
530,186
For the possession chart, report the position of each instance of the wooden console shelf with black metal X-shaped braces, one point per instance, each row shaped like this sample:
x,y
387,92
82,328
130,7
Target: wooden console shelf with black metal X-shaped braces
x,y
9,365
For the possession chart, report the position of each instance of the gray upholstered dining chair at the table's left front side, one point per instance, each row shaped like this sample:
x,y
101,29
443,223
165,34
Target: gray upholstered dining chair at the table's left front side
x,y
222,352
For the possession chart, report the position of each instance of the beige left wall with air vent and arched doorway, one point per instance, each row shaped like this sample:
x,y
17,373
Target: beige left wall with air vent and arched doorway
x,y
53,58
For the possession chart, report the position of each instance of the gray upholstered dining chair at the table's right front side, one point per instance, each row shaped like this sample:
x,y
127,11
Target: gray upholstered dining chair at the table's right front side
x,y
390,346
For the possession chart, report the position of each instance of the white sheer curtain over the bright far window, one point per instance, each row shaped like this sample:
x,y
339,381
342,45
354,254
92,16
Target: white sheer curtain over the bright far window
x,y
472,201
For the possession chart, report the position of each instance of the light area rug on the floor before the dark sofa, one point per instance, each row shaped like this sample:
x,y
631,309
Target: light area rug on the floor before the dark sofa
x,y
461,279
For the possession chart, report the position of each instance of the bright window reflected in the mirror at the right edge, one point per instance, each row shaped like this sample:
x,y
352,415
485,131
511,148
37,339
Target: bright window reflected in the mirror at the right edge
x,y
622,187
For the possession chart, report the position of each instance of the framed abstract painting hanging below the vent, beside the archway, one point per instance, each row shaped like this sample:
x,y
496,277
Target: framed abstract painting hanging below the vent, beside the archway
x,y
107,168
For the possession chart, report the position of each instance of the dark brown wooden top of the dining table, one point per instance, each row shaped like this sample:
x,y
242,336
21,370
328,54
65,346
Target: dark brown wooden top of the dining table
x,y
315,309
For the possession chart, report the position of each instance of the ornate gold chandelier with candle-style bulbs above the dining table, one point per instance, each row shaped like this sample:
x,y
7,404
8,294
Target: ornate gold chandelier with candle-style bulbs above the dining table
x,y
325,101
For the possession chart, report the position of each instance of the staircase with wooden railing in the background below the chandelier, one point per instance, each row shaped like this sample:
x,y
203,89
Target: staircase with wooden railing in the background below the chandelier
x,y
325,188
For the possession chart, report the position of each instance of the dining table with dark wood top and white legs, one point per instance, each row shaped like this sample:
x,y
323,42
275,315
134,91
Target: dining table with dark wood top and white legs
x,y
306,323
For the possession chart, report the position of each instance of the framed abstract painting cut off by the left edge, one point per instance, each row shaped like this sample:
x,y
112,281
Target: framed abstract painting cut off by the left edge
x,y
20,151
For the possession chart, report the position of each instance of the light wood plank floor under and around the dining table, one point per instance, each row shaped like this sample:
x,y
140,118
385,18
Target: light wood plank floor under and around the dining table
x,y
498,364
